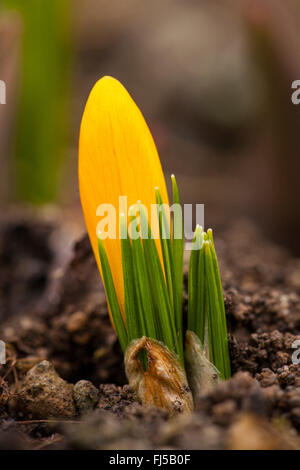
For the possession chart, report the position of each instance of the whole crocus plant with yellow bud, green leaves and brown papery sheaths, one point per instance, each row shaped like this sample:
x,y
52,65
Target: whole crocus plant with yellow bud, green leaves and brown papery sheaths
x,y
142,266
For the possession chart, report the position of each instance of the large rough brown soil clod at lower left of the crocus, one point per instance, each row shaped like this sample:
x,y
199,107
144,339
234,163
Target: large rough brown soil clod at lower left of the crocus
x,y
43,394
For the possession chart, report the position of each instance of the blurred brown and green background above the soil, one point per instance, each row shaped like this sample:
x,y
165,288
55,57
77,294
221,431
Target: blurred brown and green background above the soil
x,y
212,78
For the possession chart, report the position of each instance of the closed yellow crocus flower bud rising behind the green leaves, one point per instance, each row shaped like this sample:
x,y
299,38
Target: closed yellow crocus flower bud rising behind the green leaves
x,y
117,157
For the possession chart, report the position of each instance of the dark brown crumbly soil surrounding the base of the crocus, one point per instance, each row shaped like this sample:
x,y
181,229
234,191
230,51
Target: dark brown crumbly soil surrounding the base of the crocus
x,y
64,387
